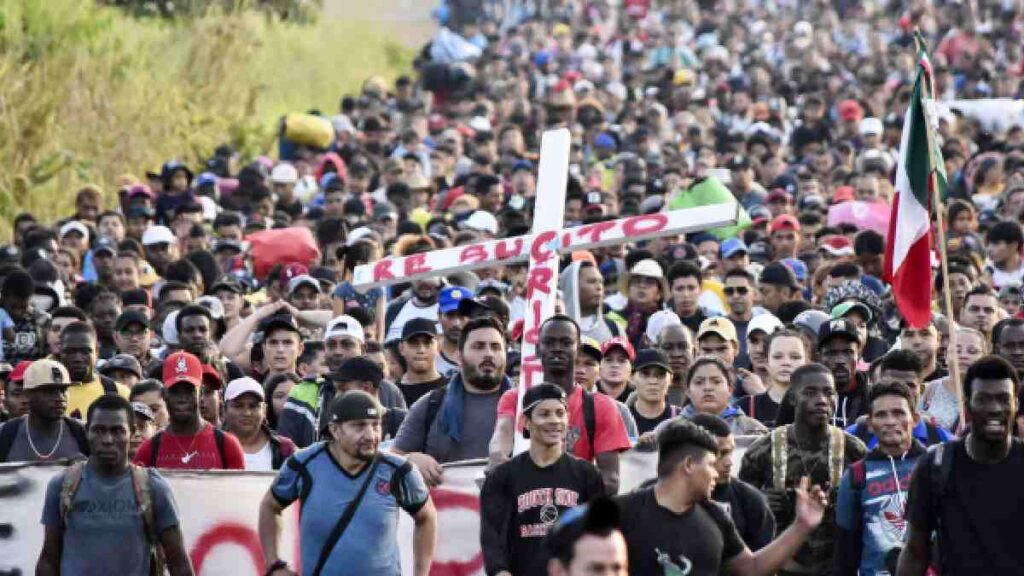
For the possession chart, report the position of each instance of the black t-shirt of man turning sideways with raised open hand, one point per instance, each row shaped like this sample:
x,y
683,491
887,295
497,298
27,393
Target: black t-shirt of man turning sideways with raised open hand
x,y
698,543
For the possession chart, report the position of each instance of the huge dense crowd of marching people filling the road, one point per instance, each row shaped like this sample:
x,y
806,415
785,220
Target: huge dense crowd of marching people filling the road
x,y
157,328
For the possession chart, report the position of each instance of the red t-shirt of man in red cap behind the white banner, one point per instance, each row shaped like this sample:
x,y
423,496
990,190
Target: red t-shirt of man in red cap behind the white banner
x,y
198,452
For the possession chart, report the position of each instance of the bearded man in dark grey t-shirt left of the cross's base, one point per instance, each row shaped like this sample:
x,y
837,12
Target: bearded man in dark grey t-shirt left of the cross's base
x,y
456,422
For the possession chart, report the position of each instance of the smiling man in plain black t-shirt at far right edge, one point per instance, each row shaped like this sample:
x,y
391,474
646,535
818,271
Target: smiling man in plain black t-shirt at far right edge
x,y
968,491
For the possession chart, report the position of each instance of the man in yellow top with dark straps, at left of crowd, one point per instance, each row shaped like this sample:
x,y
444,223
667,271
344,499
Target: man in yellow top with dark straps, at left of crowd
x,y
78,354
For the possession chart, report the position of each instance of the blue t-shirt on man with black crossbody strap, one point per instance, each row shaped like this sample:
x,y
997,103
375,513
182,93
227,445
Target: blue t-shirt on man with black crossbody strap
x,y
369,547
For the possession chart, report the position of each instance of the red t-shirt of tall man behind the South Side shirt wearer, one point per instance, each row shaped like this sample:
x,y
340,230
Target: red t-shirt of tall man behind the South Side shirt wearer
x,y
609,427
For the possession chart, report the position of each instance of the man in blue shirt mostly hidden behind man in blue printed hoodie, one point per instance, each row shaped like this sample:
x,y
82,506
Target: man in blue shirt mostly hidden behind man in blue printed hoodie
x,y
903,367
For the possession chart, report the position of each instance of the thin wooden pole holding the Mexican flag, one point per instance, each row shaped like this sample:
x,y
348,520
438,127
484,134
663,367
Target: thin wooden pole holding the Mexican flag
x,y
955,375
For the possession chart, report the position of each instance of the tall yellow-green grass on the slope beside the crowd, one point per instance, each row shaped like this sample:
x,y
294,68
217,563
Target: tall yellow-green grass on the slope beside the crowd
x,y
89,94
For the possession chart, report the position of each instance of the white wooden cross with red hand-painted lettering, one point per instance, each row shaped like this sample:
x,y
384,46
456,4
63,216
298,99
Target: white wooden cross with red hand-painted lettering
x,y
544,246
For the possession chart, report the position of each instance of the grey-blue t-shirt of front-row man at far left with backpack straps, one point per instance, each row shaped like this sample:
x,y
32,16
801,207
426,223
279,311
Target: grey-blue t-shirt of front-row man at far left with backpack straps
x,y
105,532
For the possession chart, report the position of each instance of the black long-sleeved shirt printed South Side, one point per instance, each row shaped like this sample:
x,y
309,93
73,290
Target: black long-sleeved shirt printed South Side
x,y
521,503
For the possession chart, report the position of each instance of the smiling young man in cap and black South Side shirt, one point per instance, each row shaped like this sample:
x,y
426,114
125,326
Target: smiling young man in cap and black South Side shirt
x,y
523,499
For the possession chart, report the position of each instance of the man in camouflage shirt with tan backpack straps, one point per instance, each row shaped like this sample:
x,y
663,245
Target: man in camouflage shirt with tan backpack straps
x,y
776,463
